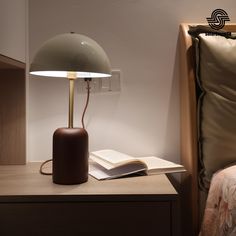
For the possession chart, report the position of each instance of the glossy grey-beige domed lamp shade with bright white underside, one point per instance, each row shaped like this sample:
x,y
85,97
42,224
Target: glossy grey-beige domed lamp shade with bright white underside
x,y
71,52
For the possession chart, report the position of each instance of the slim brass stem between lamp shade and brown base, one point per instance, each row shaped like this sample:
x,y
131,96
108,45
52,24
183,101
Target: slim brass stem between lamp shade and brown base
x,y
71,76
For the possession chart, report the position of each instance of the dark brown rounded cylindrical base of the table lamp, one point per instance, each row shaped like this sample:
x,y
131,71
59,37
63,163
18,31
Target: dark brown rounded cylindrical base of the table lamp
x,y
70,156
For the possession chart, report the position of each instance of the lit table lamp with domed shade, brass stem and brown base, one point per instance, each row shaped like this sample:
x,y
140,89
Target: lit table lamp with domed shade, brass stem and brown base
x,y
70,56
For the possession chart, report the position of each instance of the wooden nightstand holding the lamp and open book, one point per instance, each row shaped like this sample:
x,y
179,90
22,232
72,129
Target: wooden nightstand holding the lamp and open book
x,y
30,204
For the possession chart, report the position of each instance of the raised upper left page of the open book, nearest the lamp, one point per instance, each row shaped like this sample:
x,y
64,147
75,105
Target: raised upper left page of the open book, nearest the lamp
x,y
112,156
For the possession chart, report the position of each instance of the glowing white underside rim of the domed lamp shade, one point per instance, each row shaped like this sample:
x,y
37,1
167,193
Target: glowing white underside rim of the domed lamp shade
x,y
79,74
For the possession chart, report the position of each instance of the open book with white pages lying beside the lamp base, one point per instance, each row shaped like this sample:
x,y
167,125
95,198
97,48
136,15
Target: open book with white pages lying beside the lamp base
x,y
110,164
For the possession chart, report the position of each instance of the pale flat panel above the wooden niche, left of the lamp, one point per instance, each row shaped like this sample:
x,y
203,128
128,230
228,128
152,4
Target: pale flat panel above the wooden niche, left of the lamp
x,y
13,28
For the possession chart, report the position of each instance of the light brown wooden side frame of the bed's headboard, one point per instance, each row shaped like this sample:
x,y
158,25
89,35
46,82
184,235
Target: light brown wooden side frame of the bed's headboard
x,y
189,146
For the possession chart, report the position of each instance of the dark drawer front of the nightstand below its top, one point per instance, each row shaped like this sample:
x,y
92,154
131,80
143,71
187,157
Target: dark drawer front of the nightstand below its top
x,y
86,218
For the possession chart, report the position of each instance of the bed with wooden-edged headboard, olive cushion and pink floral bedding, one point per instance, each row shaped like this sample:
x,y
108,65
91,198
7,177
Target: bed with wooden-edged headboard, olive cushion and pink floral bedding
x,y
208,187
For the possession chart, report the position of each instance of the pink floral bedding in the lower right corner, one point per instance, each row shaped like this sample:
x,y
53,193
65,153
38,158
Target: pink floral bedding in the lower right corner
x,y
220,212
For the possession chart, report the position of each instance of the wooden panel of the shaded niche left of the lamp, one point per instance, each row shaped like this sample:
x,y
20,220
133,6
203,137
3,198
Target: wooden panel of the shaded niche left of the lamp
x,y
12,112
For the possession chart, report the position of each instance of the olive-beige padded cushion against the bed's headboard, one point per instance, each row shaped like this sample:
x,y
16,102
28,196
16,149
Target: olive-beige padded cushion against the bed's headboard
x,y
216,75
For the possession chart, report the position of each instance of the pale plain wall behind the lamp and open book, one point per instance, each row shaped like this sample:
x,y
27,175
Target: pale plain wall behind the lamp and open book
x,y
140,38
